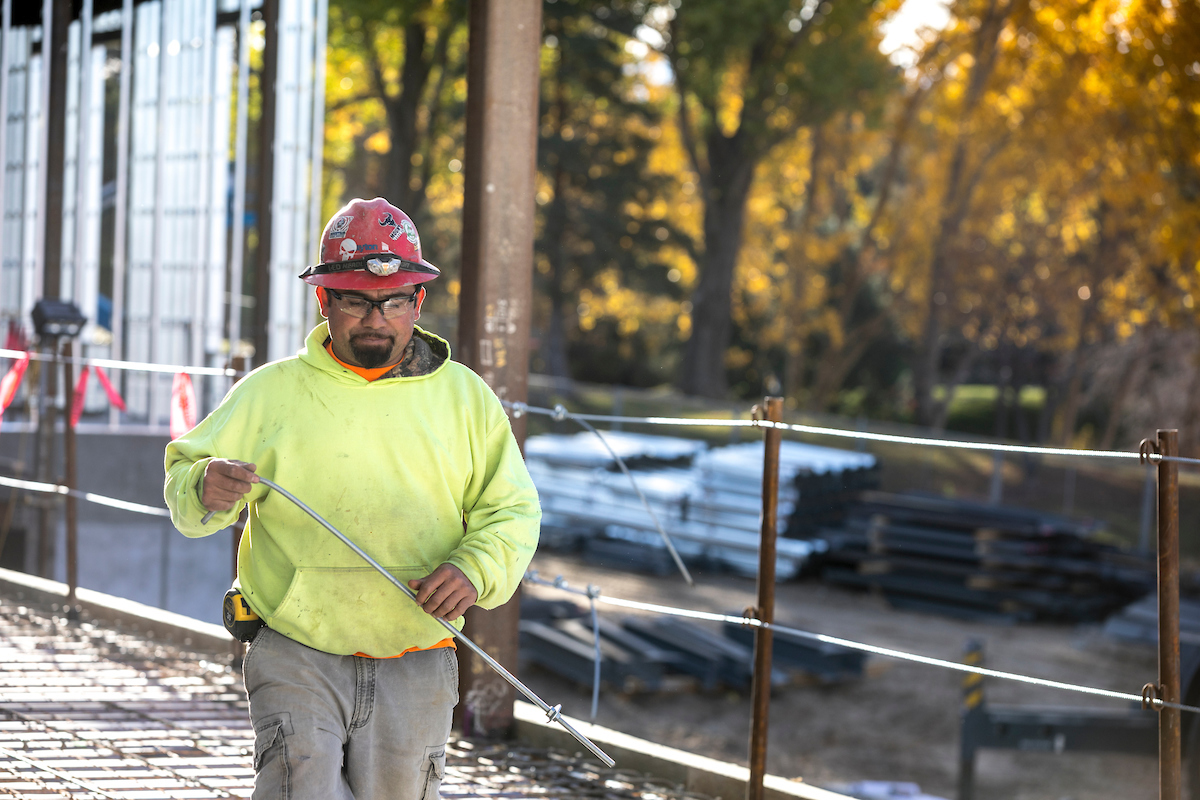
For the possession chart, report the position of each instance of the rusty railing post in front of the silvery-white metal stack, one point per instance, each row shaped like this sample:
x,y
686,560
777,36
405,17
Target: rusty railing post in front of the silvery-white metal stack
x,y
772,411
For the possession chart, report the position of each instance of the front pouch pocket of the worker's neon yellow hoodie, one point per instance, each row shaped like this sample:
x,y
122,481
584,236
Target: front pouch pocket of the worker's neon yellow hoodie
x,y
355,610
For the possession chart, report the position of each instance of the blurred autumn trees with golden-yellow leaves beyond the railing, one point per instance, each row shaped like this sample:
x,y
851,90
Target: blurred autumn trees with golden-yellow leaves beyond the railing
x,y
751,197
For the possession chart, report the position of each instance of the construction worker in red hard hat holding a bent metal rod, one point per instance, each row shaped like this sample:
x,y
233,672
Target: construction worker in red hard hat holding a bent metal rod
x,y
411,455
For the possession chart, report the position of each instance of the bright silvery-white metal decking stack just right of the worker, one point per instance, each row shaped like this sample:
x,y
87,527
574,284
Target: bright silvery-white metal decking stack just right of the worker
x,y
707,501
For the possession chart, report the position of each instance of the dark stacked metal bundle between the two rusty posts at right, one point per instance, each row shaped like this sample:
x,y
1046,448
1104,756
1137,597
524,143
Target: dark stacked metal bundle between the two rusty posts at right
x,y
974,561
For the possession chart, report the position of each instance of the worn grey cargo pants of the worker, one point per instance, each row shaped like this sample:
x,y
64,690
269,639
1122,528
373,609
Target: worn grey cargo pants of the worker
x,y
346,727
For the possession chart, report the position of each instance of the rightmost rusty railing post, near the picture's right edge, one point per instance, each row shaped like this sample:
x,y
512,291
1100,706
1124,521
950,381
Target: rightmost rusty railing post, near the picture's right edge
x,y
1171,785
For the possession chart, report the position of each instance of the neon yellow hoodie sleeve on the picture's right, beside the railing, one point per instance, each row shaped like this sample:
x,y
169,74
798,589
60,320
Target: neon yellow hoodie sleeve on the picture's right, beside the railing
x,y
502,519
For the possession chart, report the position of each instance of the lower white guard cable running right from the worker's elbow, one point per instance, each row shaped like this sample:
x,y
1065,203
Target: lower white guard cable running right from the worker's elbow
x,y
890,653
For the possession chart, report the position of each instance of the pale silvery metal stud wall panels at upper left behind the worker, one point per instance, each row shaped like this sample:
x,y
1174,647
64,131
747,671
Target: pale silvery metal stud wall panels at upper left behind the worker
x,y
172,304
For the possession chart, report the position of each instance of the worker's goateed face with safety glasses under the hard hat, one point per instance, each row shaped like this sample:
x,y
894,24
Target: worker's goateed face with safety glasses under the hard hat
x,y
371,341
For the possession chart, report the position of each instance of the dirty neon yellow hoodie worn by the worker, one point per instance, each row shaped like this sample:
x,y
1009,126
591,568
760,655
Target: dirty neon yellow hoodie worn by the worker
x,y
418,472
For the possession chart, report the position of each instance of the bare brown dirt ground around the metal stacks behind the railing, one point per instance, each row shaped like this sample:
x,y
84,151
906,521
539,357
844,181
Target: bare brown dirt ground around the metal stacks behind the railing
x,y
901,723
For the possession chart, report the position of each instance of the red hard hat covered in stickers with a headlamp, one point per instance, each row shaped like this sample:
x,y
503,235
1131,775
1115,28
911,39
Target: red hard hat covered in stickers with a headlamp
x,y
370,245
